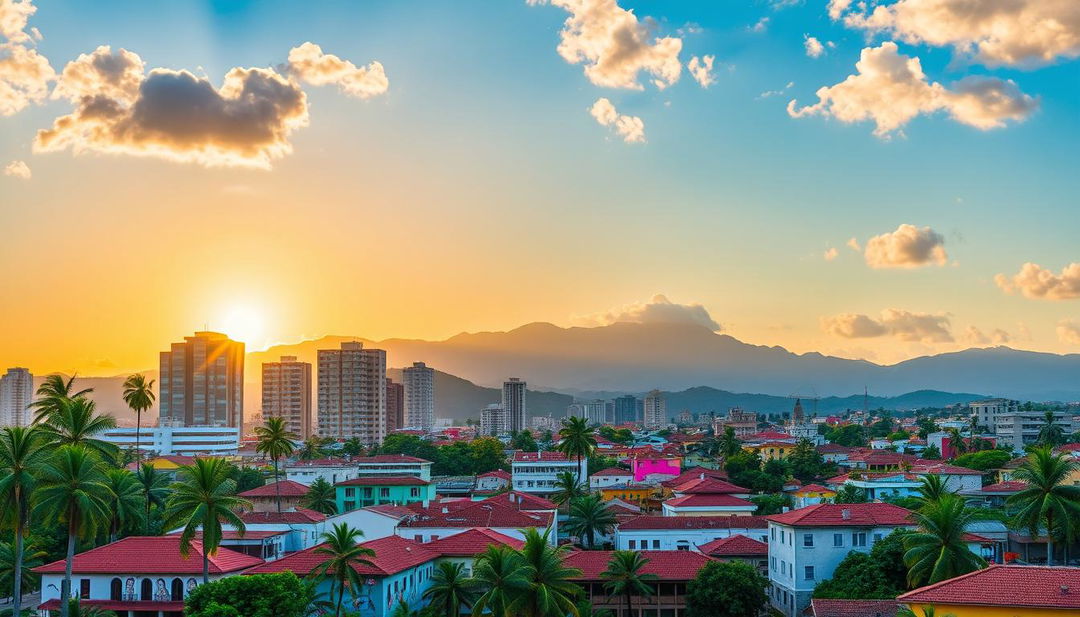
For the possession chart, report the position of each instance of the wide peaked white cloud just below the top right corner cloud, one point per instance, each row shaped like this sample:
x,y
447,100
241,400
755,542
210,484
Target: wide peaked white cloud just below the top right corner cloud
x,y
890,89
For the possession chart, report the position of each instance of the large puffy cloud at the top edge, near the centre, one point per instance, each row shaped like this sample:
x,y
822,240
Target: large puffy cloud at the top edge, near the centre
x,y
615,47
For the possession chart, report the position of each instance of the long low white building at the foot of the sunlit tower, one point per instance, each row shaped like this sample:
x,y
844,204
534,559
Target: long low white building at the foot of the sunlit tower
x,y
178,440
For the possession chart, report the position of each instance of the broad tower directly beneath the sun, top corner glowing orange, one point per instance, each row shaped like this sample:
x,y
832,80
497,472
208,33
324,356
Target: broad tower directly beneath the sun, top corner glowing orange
x,y
202,382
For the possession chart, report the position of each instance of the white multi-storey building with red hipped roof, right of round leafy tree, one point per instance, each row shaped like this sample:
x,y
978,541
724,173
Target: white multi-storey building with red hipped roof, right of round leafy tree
x,y
807,545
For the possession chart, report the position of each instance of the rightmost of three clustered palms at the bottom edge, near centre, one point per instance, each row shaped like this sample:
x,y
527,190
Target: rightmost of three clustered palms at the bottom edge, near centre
x,y
551,591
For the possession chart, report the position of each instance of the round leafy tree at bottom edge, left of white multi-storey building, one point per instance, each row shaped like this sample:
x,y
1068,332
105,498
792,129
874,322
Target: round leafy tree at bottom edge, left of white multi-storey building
x,y
726,589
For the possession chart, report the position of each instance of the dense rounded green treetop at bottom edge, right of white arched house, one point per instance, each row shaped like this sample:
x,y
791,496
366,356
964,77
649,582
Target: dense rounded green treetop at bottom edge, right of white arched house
x,y
256,596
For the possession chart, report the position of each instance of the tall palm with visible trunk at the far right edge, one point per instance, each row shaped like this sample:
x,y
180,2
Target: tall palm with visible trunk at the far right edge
x,y
1048,501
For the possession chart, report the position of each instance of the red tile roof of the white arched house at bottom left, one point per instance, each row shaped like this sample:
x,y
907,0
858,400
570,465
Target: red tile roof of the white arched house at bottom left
x,y
151,555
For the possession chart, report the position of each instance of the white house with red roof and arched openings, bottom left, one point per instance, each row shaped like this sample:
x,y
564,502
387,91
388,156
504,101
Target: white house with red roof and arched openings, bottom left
x,y
139,575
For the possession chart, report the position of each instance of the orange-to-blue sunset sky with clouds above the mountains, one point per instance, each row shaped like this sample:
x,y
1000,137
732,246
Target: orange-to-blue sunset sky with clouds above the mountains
x,y
877,182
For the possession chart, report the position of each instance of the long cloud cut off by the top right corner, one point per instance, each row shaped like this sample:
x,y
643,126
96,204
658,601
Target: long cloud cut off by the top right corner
x,y
994,33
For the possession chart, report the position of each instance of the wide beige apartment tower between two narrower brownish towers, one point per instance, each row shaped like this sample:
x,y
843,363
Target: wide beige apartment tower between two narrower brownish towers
x,y
353,393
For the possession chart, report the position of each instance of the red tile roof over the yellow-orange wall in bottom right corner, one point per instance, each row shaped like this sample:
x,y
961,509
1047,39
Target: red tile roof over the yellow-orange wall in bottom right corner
x,y
1009,586
